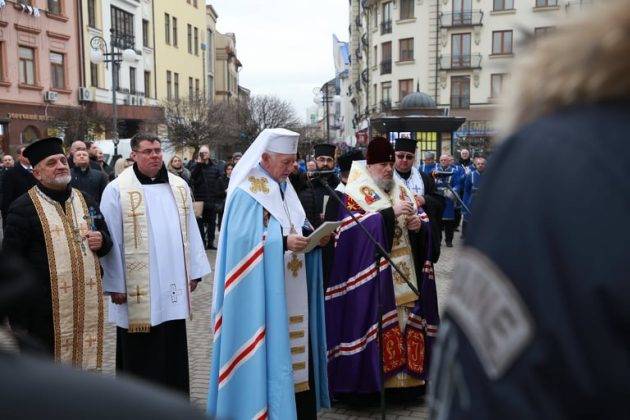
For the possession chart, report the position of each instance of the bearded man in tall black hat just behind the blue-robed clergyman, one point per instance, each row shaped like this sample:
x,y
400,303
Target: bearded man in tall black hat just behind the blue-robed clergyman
x,y
313,193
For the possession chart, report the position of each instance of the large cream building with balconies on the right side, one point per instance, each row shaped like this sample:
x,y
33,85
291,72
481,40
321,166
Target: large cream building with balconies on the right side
x,y
458,52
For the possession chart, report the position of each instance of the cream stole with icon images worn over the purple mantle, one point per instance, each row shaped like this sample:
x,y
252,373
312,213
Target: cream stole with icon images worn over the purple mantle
x,y
362,189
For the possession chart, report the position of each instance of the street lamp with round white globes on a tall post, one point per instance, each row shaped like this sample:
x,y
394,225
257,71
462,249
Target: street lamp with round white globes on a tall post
x,y
101,53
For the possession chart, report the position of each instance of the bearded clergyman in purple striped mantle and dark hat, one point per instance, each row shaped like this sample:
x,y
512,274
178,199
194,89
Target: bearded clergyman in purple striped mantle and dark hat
x,y
361,282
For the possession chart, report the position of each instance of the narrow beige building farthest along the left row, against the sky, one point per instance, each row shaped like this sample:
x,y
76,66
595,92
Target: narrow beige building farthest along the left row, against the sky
x,y
227,66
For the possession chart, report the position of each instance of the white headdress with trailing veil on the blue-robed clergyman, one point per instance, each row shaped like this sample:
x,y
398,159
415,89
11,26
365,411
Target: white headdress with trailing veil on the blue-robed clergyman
x,y
275,140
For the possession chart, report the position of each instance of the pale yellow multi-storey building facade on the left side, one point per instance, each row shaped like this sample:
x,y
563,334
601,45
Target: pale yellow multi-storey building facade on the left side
x,y
180,30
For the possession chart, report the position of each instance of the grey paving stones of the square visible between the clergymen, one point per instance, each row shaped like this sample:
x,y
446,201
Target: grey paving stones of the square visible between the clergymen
x,y
200,339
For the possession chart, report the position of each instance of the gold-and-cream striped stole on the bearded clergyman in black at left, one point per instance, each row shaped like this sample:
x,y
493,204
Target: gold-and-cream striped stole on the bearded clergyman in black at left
x,y
75,280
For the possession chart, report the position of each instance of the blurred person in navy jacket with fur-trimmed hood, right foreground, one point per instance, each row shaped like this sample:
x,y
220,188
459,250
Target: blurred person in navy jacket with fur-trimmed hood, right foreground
x,y
537,324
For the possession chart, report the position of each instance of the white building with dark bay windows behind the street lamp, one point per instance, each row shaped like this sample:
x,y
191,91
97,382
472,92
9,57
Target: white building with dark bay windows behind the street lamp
x,y
123,25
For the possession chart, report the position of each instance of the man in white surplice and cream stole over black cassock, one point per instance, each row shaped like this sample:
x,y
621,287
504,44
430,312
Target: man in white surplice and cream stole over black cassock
x,y
156,262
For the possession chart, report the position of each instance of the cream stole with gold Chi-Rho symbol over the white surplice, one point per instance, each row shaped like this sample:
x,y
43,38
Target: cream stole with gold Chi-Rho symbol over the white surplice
x,y
136,245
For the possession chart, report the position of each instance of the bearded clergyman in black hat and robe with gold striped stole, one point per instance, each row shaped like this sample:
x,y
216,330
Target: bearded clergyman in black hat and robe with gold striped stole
x,y
61,233
